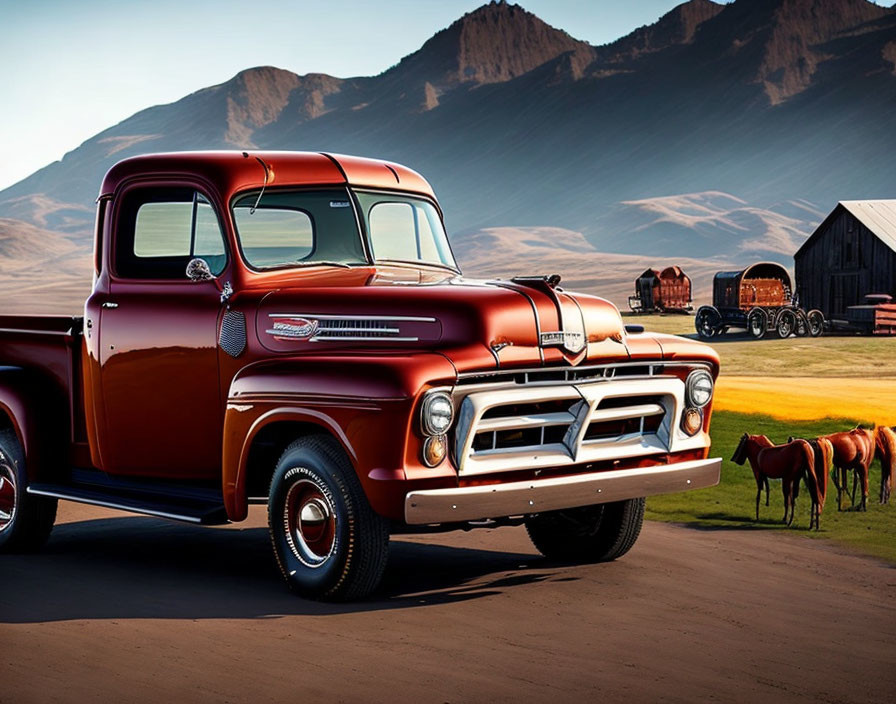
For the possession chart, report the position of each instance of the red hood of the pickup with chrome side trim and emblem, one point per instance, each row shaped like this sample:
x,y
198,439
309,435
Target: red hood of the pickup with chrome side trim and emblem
x,y
477,325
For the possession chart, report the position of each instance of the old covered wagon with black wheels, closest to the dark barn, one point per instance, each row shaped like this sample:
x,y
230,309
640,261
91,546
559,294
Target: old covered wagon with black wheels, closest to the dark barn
x,y
758,299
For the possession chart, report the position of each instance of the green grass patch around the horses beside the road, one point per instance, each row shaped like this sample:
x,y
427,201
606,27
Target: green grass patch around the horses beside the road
x,y
731,504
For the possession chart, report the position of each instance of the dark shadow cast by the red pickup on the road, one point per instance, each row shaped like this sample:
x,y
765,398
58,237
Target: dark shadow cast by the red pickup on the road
x,y
124,568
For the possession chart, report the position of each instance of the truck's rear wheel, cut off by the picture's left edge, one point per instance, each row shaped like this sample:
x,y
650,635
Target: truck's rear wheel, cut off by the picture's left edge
x,y
25,520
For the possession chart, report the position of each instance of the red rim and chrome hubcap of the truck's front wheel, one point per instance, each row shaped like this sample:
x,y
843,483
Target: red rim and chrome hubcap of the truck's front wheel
x,y
310,523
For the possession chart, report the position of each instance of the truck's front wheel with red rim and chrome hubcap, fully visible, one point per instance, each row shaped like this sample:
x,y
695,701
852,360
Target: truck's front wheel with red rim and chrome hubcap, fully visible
x,y
328,541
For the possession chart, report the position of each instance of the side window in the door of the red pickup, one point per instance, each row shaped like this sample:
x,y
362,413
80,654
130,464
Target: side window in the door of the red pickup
x,y
161,229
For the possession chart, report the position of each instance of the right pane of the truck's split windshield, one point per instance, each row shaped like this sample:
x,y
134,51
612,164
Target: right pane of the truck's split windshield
x,y
405,229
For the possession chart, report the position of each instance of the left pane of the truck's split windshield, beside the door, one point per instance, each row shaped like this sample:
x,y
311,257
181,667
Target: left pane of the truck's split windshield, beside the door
x,y
290,228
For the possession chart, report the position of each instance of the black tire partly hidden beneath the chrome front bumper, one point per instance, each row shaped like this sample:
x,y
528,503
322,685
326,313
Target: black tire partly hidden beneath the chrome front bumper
x,y
590,534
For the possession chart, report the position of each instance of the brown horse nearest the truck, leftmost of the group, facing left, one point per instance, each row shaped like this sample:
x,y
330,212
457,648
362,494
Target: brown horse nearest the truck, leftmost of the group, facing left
x,y
789,463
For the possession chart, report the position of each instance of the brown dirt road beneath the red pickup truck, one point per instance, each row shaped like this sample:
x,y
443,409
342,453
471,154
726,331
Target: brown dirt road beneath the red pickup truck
x,y
131,609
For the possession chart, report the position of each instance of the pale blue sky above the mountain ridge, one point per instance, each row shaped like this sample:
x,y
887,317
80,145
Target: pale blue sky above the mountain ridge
x,y
74,67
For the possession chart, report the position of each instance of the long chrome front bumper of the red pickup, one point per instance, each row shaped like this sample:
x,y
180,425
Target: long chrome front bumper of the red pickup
x,y
521,498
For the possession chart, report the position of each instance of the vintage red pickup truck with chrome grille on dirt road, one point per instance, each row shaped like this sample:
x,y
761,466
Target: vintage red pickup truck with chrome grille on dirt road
x,y
292,329
